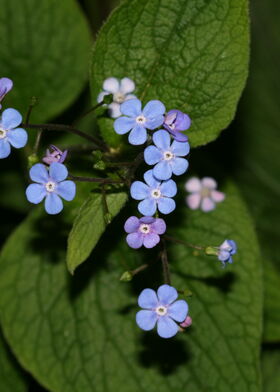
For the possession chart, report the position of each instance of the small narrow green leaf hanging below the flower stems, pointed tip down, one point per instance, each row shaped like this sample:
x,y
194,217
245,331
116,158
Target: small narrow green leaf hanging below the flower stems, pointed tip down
x,y
89,225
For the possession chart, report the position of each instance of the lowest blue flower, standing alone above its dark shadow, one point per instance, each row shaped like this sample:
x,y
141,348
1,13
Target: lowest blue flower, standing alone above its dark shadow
x,y
161,308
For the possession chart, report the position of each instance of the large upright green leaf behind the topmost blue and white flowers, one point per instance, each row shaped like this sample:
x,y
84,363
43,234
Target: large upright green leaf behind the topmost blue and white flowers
x,y
191,55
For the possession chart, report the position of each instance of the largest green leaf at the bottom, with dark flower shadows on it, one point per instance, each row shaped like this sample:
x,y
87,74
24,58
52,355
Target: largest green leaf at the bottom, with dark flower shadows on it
x,y
79,333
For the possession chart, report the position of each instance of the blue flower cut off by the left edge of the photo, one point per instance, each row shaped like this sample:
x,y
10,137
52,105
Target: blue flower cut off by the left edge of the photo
x,y
10,134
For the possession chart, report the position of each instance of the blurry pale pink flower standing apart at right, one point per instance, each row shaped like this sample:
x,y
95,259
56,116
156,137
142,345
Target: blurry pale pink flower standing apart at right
x,y
203,194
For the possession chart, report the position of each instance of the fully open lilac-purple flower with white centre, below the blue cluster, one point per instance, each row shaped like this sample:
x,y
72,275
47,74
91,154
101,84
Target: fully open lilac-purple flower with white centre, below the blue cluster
x,y
144,231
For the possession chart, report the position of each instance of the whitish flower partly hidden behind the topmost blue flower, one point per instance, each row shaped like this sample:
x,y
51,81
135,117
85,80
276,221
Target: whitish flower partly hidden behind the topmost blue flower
x,y
121,91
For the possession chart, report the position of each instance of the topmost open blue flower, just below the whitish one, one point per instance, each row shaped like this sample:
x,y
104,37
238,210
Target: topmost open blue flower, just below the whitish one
x,y
138,120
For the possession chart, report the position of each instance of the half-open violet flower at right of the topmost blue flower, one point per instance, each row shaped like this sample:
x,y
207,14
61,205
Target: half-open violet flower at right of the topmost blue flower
x,y
175,122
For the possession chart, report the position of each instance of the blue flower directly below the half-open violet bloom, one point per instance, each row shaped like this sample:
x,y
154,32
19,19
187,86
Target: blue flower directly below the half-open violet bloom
x,y
166,158
